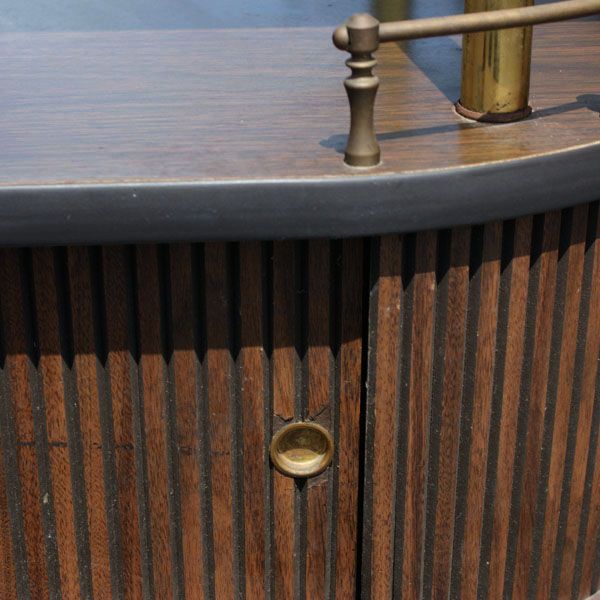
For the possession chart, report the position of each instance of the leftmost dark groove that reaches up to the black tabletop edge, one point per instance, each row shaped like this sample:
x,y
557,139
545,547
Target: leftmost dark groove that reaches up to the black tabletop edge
x,y
39,423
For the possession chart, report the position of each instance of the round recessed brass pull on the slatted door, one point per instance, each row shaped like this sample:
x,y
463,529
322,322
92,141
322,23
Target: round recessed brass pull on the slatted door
x,y
301,449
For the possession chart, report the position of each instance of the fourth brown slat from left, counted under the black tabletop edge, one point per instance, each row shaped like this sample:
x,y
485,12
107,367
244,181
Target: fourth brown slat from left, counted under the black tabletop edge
x,y
120,363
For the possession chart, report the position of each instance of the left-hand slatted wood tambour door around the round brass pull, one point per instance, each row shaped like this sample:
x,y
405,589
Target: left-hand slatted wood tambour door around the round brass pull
x,y
140,388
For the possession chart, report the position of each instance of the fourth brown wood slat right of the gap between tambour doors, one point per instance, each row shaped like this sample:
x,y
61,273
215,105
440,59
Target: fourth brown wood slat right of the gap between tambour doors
x,y
482,406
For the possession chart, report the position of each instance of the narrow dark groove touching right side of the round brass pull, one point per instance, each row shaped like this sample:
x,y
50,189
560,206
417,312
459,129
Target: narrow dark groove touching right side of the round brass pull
x,y
335,328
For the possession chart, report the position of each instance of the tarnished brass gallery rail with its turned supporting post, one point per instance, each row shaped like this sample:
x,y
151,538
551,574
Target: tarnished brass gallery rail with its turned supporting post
x,y
362,34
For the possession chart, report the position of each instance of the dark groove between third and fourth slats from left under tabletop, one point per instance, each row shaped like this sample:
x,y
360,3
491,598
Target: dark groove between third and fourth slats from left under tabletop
x,y
106,424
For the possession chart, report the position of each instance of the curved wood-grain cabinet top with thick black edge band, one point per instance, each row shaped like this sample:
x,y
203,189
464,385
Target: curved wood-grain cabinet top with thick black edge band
x,y
238,134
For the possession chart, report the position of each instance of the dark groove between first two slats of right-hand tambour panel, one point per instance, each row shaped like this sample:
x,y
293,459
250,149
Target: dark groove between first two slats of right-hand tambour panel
x,y
404,368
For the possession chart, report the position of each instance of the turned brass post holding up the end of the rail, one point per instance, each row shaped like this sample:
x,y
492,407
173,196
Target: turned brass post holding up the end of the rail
x,y
362,30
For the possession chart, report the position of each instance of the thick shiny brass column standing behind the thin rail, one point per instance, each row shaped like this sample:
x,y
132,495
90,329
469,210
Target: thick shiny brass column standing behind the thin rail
x,y
495,69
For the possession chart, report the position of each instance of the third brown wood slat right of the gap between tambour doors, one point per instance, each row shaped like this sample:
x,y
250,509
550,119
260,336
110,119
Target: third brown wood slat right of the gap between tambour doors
x,y
454,348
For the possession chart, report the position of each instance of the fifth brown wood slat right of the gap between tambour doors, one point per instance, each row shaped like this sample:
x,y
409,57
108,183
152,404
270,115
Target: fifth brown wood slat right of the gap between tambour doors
x,y
517,306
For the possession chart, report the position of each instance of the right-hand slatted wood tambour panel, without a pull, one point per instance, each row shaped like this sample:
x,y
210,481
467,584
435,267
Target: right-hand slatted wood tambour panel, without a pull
x,y
482,412
